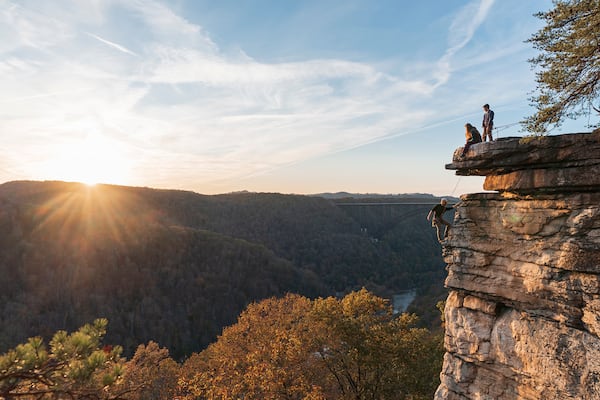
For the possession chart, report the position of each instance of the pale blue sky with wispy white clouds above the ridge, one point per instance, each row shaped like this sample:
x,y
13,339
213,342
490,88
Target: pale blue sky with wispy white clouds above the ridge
x,y
289,96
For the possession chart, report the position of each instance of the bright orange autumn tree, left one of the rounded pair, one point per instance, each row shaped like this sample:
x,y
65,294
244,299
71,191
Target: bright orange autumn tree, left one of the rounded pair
x,y
263,356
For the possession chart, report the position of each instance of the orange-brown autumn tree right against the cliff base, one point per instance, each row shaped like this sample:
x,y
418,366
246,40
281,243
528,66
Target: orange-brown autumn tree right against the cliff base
x,y
371,354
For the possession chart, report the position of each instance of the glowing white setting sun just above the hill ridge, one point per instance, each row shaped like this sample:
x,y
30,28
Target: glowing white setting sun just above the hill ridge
x,y
90,160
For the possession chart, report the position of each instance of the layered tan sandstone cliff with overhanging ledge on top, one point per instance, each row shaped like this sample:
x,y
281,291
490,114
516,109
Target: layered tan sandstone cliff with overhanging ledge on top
x,y
523,314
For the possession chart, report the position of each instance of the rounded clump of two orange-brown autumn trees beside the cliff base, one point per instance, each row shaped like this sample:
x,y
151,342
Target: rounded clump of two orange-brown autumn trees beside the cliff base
x,y
294,348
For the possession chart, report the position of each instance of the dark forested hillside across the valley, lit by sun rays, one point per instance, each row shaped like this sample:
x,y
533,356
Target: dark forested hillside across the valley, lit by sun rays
x,y
176,267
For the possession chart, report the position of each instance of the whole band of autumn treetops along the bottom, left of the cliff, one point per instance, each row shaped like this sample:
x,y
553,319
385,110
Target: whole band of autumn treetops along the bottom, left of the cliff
x,y
280,348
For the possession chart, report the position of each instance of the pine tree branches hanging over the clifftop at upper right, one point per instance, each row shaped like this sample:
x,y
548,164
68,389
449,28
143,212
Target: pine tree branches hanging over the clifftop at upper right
x,y
568,83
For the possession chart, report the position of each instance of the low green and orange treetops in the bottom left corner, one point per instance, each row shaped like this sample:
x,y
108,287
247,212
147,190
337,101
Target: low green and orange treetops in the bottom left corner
x,y
78,366
